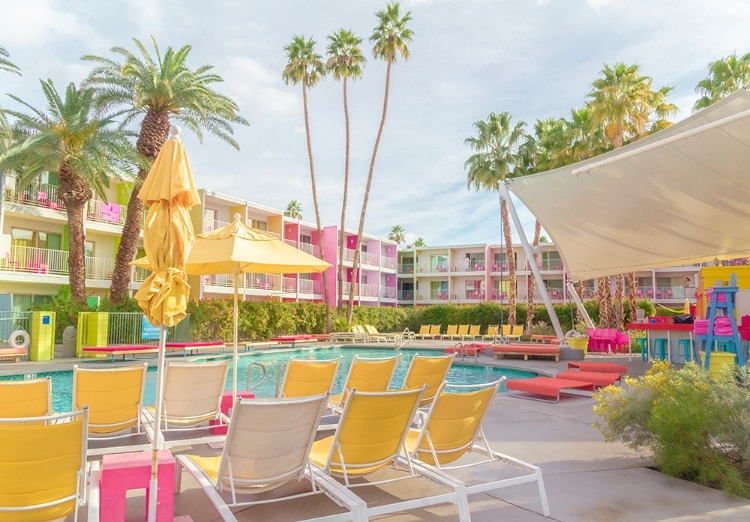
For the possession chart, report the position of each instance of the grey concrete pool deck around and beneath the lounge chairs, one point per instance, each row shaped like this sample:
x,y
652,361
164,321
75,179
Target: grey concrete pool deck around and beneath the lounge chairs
x,y
586,478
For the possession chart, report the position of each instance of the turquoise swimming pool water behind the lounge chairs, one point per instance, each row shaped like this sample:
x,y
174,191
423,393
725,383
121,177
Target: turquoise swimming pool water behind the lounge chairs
x,y
62,382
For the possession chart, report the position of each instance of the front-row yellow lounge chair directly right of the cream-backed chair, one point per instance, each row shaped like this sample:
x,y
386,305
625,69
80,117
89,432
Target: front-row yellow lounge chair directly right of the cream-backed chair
x,y
369,437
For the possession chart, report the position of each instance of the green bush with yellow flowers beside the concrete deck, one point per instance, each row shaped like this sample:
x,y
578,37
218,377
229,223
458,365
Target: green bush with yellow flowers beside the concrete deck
x,y
697,429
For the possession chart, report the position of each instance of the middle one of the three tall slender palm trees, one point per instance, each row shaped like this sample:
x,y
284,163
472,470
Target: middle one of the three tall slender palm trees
x,y
345,60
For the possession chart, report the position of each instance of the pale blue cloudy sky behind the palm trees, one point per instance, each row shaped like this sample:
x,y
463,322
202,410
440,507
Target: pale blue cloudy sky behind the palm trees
x,y
535,59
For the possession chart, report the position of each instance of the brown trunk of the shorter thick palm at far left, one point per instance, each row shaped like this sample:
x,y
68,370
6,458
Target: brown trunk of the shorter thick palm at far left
x,y
74,192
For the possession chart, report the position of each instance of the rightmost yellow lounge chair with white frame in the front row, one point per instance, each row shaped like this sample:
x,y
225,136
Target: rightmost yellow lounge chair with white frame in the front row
x,y
453,427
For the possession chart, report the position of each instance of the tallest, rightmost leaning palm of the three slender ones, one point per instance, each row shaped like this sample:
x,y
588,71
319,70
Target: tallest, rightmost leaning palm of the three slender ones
x,y
389,40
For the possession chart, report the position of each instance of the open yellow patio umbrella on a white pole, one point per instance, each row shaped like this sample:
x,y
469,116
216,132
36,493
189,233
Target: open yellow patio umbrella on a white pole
x,y
236,249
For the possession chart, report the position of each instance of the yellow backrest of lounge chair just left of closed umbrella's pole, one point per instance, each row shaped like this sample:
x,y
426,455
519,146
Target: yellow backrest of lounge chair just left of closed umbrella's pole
x,y
114,397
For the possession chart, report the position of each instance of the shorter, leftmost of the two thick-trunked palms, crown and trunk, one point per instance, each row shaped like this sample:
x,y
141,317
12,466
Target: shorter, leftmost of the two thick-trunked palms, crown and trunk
x,y
84,148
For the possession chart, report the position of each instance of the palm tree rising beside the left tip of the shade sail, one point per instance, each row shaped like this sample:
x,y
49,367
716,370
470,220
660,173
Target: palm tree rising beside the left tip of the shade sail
x,y
496,159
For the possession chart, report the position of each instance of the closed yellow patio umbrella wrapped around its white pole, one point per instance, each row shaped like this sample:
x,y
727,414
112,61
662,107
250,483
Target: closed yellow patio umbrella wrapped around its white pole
x,y
169,192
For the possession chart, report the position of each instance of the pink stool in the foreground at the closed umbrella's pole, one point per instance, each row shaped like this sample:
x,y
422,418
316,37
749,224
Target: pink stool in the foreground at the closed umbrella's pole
x,y
124,471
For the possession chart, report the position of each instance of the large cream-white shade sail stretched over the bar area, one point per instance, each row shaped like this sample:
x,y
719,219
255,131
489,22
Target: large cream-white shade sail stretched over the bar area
x,y
677,197
